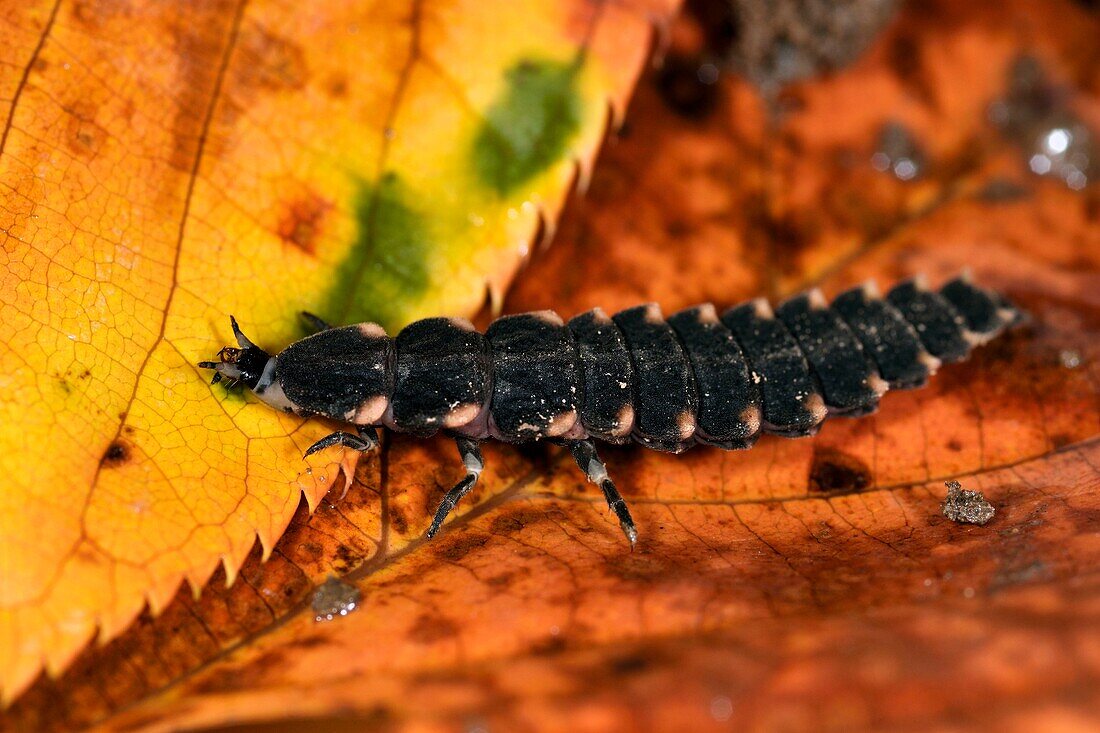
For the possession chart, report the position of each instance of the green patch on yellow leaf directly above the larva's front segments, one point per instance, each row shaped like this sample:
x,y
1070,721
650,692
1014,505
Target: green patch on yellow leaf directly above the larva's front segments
x,y
387,268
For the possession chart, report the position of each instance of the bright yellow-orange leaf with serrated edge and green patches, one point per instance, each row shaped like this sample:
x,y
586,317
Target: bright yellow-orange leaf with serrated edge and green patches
x,y
168,165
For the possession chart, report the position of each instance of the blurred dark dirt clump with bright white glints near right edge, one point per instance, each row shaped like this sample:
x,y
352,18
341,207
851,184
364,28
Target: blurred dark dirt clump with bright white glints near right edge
x,y
1036,114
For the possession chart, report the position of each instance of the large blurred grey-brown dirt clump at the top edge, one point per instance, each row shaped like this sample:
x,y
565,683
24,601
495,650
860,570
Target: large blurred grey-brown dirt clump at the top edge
x,y
776,42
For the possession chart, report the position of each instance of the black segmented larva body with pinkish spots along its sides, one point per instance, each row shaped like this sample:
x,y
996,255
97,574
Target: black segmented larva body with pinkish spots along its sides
x,y
666,384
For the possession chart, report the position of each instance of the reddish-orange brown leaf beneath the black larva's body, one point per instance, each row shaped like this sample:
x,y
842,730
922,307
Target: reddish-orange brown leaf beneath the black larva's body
x,y
804,585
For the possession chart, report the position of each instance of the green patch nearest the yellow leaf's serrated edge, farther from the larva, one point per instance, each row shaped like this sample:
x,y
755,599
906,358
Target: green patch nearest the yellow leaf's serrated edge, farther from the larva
x,y
530,126
